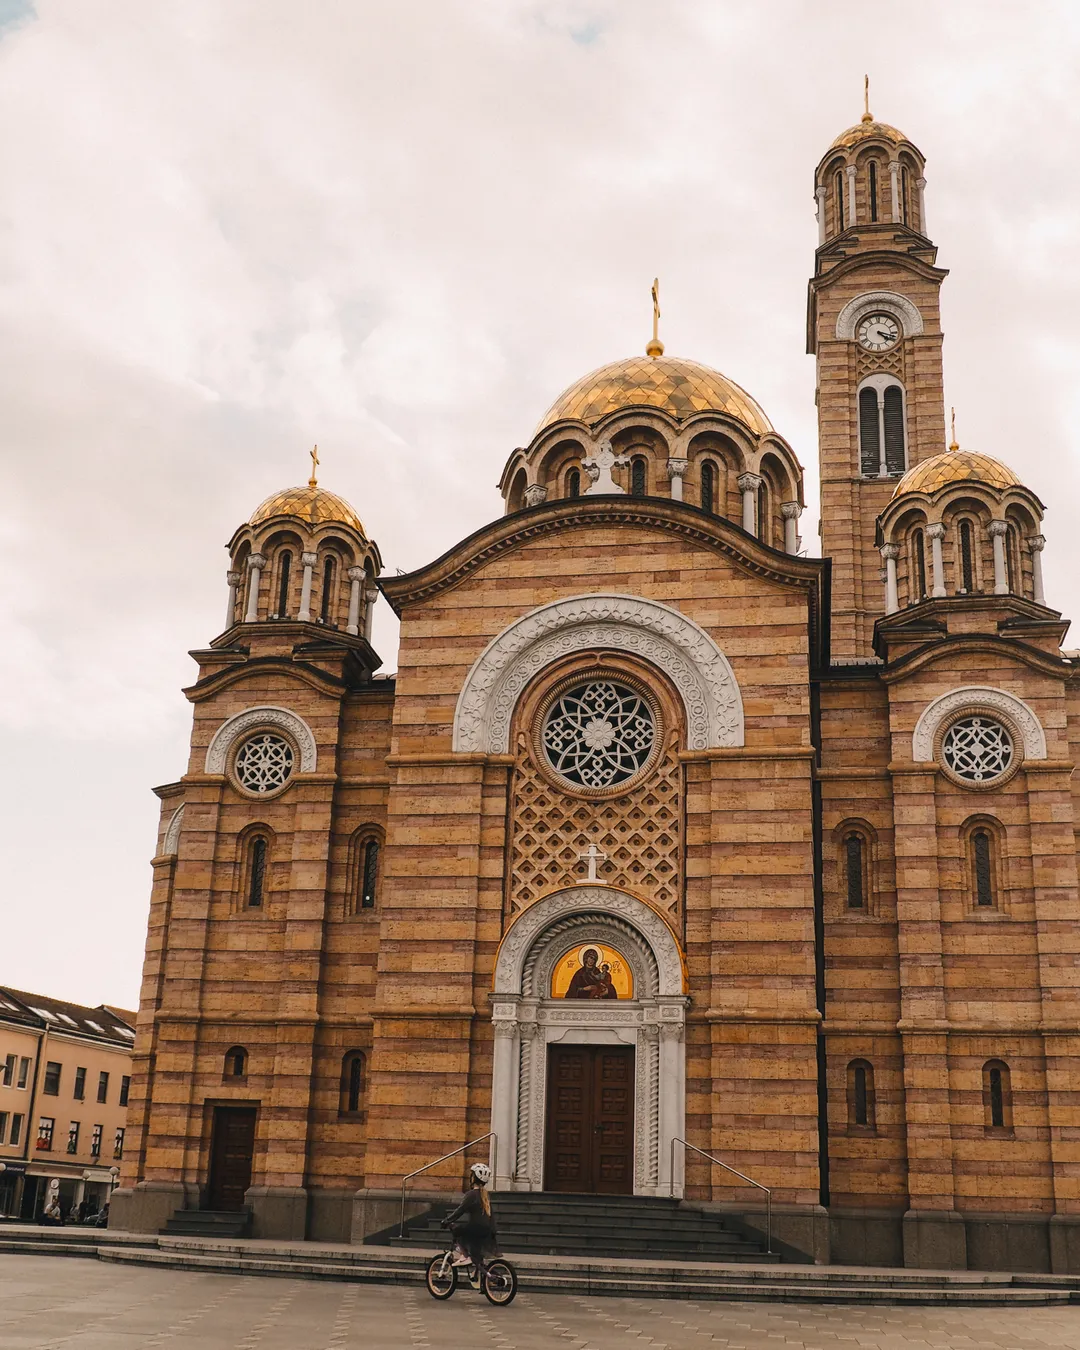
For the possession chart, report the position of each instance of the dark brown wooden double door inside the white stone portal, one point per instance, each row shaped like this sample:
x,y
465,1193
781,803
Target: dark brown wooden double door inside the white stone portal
x,y
589,1131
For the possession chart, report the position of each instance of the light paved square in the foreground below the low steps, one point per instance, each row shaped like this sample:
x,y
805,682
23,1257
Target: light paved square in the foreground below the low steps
x,y
70,1303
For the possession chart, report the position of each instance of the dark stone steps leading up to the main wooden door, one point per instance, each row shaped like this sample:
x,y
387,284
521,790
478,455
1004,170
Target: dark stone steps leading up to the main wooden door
x,y
647,1228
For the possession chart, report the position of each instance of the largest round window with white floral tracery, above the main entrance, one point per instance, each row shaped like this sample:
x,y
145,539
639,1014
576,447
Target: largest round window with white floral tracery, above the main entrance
x,y
600,734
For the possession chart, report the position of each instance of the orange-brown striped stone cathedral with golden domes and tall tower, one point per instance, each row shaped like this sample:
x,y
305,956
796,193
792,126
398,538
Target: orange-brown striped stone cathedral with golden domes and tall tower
x,y
665,838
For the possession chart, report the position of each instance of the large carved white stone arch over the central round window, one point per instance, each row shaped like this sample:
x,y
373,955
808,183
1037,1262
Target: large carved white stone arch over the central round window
x,y
646,628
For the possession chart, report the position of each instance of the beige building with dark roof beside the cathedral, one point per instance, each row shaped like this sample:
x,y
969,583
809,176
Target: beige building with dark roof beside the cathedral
x,y
65,1073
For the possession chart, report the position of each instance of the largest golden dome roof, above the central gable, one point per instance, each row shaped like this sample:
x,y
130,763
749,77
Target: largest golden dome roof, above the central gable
x,y
681,388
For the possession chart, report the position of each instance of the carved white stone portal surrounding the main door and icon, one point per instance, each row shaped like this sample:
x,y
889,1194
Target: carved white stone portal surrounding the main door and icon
x,y
527,1021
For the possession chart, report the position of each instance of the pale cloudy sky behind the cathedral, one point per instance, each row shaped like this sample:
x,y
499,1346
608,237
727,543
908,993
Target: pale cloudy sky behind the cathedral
x,y
233,229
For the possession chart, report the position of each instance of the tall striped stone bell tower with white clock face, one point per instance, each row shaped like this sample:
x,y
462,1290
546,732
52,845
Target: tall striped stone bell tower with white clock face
x,y
875,329
